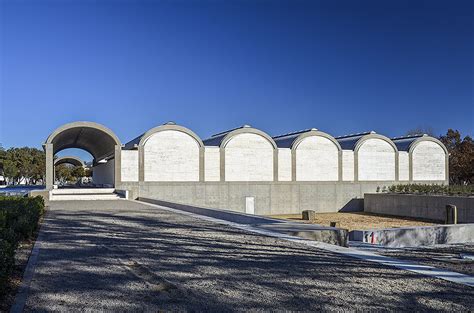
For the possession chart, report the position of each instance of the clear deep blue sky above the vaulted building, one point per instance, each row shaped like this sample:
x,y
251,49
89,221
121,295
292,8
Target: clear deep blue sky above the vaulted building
x,y
339,66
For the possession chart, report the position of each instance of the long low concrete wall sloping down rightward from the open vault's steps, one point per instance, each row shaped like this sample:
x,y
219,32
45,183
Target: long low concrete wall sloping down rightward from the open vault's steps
x,y
331,235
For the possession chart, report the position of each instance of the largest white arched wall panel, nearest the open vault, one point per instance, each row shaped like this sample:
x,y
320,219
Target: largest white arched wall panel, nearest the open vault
x,y
171,155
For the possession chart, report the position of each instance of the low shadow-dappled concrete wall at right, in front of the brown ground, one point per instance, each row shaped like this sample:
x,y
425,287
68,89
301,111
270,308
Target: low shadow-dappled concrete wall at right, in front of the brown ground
x,y
416,236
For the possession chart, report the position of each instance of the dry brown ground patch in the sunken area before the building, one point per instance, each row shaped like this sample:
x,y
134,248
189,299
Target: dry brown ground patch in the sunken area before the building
x,y
359,220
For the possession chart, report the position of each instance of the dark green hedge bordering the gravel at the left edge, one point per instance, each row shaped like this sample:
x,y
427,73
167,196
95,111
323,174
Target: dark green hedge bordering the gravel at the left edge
x,y
19,219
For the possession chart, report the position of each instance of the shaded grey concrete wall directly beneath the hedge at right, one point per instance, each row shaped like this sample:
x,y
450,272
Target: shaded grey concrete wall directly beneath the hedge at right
x,y
429,207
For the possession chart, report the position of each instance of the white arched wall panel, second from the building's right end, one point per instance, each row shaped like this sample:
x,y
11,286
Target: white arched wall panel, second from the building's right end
x,y
376,161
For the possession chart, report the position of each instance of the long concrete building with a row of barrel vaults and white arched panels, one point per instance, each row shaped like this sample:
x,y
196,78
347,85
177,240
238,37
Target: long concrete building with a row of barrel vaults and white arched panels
x,y
245,169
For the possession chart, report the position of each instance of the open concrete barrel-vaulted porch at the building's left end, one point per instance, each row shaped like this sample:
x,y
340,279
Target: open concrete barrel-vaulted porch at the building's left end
x,y
94,138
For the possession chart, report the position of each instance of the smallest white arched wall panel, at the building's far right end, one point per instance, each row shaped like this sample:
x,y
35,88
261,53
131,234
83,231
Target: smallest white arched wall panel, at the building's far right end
x,y
428,161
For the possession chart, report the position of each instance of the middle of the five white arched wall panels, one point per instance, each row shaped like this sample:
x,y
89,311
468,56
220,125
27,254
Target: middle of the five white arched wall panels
x,y
317,159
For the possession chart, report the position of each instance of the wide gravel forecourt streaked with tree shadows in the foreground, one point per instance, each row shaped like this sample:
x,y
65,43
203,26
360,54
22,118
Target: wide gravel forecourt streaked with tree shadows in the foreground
x,y
127,256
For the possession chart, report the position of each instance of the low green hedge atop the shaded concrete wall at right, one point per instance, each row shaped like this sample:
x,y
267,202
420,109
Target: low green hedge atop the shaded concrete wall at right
x,y
452,190
